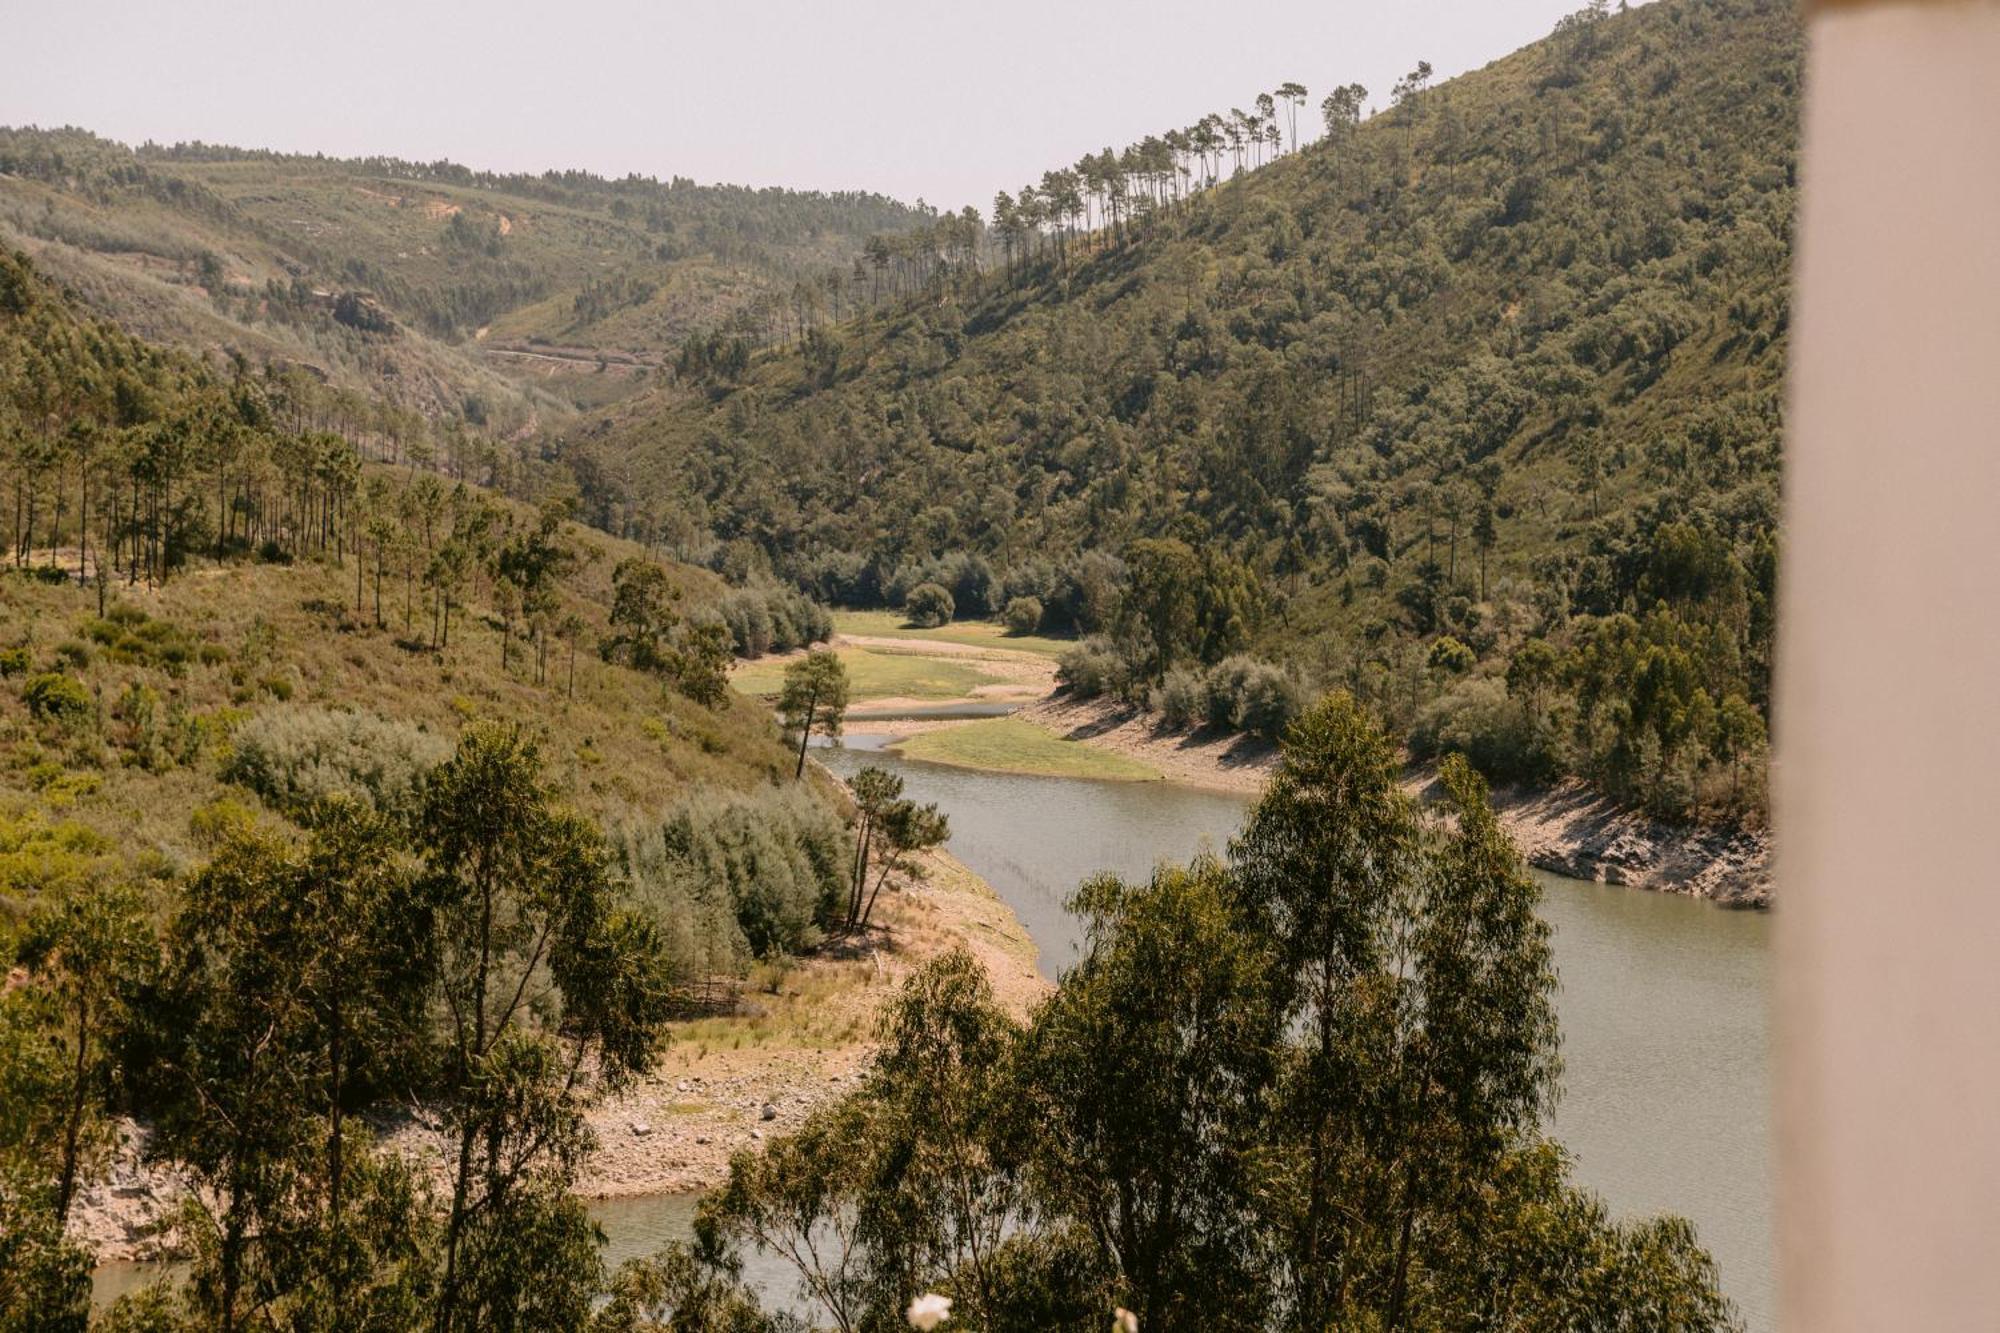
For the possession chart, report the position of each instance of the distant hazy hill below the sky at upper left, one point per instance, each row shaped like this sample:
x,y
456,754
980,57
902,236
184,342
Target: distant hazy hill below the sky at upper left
x,y
431,287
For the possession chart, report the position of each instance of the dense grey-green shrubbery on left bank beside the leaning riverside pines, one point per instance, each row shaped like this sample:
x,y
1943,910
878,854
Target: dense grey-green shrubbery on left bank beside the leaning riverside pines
x,y
737,878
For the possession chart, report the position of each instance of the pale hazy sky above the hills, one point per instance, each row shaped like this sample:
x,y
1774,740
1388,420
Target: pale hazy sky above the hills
x,y
935,99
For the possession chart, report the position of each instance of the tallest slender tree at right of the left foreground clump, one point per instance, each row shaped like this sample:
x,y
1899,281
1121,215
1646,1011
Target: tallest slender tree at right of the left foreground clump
x,y
551,994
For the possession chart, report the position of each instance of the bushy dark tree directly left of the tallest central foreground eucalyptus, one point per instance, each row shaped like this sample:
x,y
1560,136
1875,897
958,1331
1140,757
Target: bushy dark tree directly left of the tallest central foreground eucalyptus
x,y
1141,1082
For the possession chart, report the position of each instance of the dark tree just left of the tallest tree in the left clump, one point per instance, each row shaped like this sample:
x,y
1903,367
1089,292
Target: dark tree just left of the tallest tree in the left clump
x,y
293,978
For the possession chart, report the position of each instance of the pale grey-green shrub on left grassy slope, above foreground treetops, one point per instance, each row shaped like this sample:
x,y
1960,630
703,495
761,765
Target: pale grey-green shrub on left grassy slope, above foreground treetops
x,y
303,758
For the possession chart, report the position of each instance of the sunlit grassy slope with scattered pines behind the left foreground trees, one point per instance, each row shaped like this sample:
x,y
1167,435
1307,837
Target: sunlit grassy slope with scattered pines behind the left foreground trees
x,y
189,579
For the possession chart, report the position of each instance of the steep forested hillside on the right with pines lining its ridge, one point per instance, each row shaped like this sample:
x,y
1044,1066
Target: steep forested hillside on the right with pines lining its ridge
x,y
1471,407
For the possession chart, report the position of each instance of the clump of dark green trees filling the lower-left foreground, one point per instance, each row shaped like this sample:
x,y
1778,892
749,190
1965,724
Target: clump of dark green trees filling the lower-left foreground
x,y
475,958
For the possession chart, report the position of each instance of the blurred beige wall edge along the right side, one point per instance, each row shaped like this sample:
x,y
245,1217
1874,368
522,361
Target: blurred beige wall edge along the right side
x,y
1889,684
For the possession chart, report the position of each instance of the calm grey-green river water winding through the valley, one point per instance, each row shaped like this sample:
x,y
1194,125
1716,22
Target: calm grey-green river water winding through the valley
x,y
1665,1010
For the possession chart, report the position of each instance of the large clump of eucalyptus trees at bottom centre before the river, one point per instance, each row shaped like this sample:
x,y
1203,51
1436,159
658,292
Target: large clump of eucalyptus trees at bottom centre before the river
x,y
1303,1086
